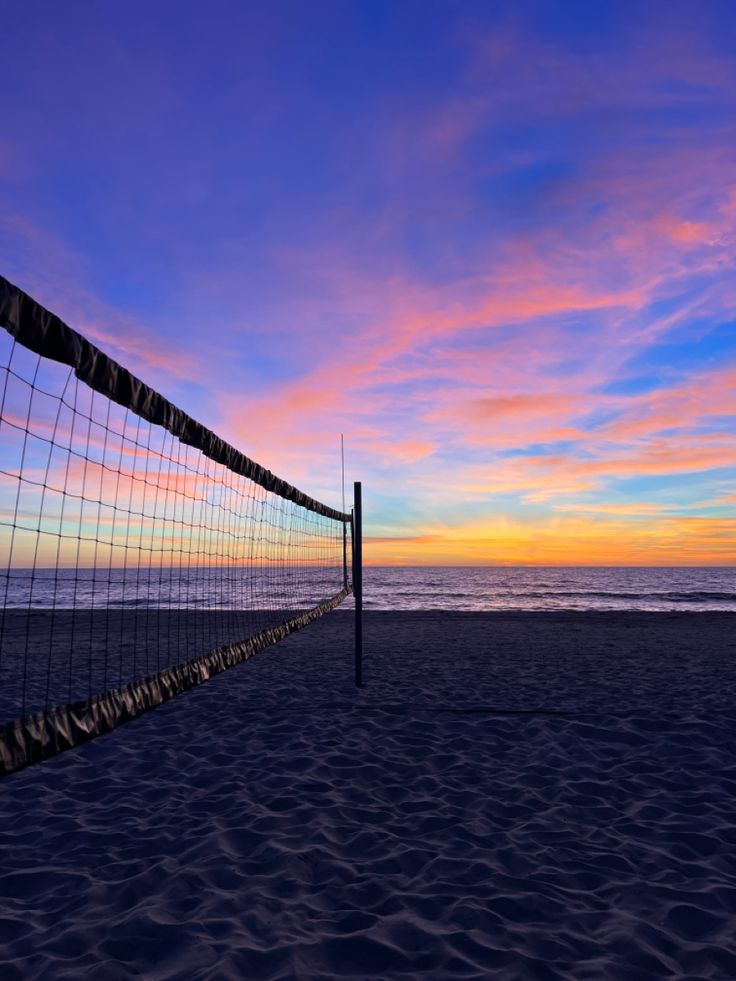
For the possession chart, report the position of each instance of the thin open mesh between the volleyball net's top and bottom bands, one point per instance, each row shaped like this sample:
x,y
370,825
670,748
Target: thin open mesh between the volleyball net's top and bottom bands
x,y
124,550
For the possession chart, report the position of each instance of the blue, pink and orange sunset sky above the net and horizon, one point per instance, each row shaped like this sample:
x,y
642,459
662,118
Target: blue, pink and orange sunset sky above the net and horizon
x,y
491,243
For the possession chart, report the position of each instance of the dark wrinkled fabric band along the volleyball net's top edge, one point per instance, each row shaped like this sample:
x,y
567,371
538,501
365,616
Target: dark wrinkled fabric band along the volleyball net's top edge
x,y
43,332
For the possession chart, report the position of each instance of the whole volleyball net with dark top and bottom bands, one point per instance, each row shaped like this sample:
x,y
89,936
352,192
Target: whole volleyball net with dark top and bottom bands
x,y
140,554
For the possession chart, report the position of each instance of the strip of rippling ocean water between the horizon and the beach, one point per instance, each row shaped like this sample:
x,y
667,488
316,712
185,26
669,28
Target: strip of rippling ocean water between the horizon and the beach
x,y
385,588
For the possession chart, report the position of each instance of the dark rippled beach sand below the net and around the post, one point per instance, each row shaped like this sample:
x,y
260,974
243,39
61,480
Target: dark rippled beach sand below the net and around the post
x,y
511,795
